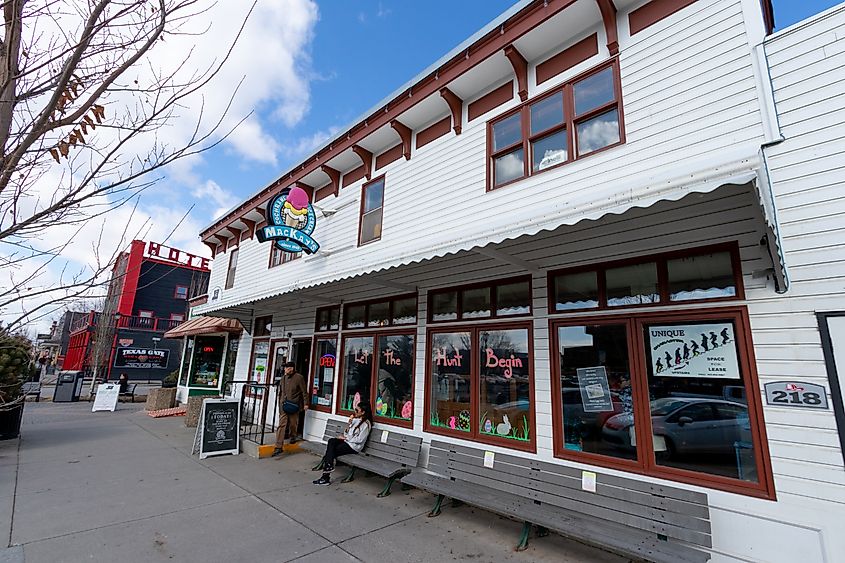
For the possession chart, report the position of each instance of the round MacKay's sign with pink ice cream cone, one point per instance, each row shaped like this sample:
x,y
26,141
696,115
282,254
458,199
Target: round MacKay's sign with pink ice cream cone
x,y
292,220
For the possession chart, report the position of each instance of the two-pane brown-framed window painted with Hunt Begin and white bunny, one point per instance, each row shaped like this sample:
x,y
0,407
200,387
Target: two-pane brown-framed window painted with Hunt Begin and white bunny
x,y
480,384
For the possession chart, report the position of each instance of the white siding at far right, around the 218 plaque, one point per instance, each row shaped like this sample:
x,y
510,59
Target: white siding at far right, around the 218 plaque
x,y
807,172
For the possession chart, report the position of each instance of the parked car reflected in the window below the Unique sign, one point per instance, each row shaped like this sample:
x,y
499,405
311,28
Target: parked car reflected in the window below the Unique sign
x,y
687,425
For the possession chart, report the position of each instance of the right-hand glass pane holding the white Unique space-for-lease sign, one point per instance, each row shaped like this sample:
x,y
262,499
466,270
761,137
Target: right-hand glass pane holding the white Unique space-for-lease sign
x,y
699,412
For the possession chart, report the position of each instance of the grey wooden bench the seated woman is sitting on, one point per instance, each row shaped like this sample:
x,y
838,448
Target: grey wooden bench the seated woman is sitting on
x,y
392,459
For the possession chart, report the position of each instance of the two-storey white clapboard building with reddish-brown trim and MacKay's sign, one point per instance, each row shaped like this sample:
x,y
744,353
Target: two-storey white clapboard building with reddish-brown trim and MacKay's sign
x,y
604,234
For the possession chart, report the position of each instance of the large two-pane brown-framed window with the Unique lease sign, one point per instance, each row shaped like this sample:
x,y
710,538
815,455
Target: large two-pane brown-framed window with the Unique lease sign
x,y
673,395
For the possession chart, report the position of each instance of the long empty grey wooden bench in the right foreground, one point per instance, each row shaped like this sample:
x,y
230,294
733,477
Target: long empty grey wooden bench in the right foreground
x,y
637,519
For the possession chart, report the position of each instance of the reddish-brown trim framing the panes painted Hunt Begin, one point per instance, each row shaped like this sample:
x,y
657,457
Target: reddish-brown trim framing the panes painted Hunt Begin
x,y
474,435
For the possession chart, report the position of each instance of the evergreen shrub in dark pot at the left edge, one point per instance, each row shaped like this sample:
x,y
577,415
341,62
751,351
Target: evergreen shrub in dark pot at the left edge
x,y
15,367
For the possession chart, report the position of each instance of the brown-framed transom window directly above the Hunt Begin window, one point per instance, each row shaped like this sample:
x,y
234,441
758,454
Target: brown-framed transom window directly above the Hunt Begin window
x,y
492,300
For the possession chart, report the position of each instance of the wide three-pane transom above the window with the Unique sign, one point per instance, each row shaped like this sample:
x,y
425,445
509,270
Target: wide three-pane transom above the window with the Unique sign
x,y
710,273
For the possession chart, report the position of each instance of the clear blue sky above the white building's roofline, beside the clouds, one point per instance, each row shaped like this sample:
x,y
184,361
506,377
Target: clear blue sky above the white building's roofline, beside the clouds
x,y
359,52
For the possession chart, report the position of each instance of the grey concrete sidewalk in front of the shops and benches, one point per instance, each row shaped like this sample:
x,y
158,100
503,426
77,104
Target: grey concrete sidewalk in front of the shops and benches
x,y
82,486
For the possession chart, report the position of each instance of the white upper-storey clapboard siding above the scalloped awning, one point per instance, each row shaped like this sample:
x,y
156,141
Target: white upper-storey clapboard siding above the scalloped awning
x,y
688,95
